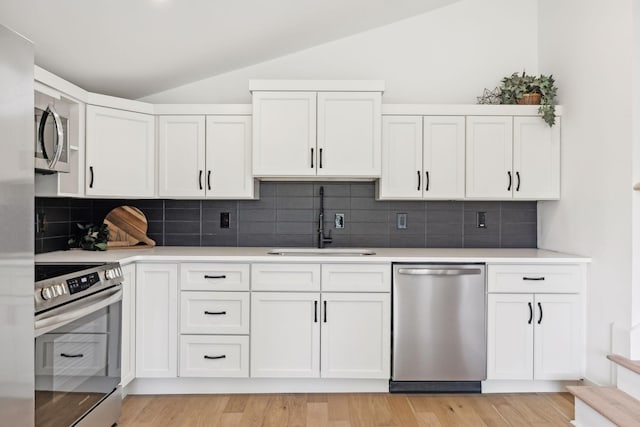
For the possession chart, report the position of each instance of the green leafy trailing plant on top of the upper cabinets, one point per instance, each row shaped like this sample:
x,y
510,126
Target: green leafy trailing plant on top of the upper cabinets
x,y
514,87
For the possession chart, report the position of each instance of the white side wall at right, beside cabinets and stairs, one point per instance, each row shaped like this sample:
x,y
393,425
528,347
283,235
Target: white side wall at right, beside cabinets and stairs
x,y
588,46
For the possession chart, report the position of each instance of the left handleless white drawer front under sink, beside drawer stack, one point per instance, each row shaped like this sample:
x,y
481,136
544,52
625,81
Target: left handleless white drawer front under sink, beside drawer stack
x,y
285,277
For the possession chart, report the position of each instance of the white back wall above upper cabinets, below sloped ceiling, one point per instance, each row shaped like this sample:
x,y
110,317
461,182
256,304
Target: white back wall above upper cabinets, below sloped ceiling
x,y
445,56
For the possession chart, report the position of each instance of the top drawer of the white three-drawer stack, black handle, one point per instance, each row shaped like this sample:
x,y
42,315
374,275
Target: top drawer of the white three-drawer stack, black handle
x,y
214,277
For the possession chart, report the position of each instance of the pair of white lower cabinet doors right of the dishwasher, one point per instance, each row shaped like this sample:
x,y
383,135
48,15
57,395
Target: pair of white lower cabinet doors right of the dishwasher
x,y
534,337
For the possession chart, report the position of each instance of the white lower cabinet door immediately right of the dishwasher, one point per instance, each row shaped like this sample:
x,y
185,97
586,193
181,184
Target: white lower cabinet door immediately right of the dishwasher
x,y
510,320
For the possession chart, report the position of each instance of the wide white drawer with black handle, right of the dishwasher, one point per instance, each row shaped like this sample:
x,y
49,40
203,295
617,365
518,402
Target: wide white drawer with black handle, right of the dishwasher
x,y
534,278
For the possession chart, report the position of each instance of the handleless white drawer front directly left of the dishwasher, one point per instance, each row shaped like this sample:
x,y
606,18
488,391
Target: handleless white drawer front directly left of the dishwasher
x,y
356,277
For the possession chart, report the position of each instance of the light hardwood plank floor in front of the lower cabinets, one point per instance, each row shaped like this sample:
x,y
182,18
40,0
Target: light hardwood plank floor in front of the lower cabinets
x,y
344,410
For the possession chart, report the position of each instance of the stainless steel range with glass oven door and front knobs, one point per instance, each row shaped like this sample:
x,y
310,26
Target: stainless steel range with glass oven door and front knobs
x,y
78,312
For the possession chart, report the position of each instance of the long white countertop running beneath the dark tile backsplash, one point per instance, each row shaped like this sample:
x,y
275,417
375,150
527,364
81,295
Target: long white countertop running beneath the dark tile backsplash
x,y
253,254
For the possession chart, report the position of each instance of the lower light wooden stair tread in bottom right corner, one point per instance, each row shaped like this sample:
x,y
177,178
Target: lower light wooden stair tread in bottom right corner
x,y
613,404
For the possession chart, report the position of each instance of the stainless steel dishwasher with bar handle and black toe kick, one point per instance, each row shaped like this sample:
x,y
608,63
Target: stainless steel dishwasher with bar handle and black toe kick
x,y
439,328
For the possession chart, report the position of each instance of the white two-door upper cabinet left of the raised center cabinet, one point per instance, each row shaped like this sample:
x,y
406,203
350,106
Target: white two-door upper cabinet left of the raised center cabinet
x,y
205,157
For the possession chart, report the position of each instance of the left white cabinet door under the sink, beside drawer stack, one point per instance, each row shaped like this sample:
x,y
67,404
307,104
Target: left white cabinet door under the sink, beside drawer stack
x,y
285,334
